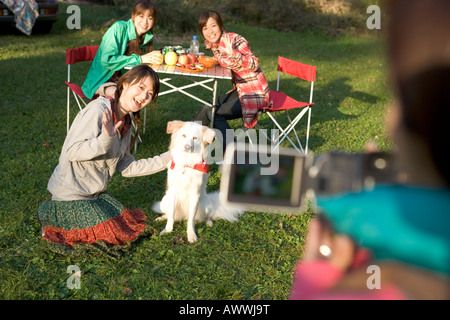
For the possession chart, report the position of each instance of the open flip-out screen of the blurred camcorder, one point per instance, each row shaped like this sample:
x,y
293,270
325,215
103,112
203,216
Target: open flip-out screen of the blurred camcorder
x,y
263,180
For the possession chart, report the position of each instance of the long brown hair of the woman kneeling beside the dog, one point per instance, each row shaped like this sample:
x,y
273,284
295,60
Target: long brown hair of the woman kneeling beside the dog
x,y
136,75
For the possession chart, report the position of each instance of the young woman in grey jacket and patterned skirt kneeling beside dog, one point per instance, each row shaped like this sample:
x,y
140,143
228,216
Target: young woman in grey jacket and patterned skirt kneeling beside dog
x,y
97,145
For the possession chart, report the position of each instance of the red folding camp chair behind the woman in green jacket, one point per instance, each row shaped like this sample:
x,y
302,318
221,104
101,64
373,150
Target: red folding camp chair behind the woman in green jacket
x,y
75,55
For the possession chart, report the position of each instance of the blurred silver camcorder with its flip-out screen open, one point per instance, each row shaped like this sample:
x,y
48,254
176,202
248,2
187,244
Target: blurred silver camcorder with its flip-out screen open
x,y
282,179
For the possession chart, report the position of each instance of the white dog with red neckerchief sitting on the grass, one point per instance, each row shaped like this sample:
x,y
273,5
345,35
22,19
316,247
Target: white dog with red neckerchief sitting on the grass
x,y
186,197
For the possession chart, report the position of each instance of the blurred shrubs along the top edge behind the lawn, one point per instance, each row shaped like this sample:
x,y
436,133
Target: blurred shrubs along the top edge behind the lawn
x,y
328,16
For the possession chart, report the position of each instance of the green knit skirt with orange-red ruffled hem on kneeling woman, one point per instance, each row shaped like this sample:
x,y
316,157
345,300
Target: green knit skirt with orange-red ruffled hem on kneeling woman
x,y
90,221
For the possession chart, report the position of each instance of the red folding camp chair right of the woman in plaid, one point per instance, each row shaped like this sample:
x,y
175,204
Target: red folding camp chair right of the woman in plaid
x,y
283,102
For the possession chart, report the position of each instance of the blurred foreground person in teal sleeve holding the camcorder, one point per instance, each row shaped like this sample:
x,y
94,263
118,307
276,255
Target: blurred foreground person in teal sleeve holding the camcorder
x,y
393,242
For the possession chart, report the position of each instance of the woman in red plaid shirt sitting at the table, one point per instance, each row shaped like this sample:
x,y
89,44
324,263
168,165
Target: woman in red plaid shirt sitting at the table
x,y
250,92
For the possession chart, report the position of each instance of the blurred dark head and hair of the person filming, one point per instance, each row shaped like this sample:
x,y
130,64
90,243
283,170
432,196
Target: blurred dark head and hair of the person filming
x,y
420,71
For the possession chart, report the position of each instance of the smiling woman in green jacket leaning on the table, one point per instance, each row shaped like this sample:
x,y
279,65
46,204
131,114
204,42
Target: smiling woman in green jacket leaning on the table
x,y
126,43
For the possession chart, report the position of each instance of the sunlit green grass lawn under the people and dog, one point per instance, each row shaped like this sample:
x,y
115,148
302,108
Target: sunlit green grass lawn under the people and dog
x,y
251,259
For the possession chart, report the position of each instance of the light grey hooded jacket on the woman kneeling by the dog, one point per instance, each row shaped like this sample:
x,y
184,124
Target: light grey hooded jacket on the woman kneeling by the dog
x,y
89,157
